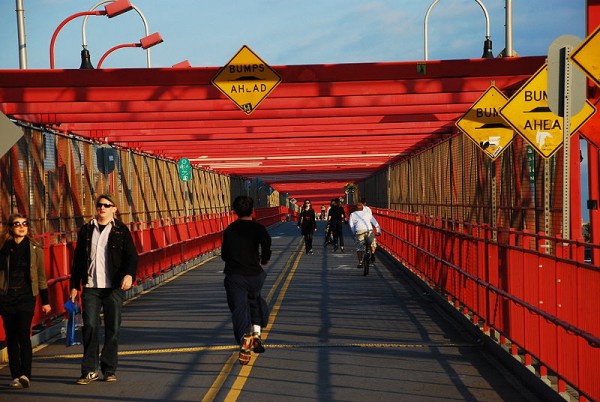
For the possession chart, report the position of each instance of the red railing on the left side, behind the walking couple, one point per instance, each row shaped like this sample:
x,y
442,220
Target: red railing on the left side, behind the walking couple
x,y
161,245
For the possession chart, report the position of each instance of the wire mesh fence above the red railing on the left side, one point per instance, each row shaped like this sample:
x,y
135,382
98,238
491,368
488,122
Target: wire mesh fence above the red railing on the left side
x,y
55,180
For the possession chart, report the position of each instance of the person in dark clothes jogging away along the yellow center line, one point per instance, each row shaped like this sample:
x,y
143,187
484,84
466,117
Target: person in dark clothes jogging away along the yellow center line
x,y
246,248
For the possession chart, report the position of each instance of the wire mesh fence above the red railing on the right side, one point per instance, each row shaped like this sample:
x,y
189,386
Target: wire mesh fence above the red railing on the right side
x,y
456,181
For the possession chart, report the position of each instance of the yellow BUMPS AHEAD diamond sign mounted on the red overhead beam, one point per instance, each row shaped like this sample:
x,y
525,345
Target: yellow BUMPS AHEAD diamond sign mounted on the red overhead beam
x,y
246,79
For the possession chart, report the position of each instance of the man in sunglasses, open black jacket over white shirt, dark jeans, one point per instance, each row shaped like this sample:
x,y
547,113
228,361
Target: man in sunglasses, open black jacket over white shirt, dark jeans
x,y
105,265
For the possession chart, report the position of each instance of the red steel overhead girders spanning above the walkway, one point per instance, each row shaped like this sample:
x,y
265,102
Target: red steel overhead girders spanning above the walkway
x,y
322,127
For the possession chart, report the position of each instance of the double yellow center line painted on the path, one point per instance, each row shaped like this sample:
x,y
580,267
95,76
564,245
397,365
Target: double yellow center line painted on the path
x,y
245,371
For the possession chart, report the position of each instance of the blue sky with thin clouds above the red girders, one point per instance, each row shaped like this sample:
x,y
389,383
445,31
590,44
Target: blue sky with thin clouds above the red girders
x,y
209,33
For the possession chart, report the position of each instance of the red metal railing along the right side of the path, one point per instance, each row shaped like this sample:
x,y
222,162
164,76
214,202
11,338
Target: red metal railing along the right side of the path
x,y
535,294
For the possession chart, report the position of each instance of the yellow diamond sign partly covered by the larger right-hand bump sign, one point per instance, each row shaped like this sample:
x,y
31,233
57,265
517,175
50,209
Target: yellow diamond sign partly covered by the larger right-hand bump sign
x,y
484,125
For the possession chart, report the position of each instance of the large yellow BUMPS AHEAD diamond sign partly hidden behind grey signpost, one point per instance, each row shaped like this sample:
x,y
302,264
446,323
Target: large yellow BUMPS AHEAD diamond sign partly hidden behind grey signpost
x,y
527,111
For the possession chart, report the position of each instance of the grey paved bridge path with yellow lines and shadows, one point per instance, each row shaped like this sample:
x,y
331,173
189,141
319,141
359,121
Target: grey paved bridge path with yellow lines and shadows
x,y
335,335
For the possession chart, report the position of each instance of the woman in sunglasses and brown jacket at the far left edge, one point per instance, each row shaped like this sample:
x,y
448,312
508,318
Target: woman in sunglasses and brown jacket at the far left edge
x,y
22,278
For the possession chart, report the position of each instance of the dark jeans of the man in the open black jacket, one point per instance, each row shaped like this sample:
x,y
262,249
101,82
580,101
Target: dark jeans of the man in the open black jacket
x,y
111,301
